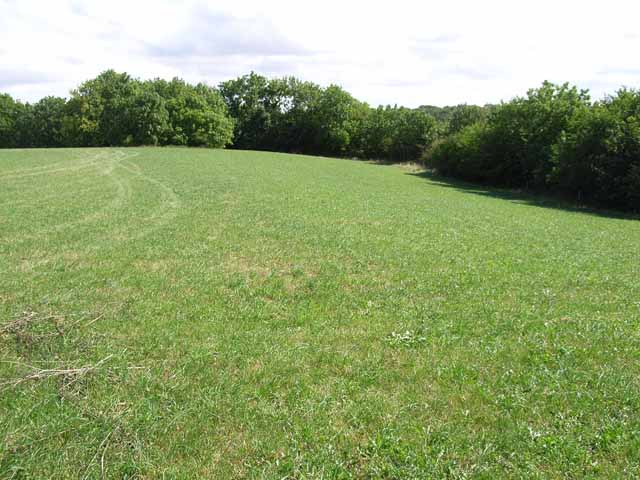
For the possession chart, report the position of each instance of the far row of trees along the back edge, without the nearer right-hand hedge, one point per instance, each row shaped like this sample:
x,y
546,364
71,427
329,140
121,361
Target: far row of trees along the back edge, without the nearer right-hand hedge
x,y
250,112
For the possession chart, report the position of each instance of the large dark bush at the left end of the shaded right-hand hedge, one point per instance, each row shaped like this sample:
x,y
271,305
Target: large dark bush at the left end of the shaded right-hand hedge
x,y
514,146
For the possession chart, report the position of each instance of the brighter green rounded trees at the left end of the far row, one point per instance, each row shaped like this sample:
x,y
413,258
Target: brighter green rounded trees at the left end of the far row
x,y
114,109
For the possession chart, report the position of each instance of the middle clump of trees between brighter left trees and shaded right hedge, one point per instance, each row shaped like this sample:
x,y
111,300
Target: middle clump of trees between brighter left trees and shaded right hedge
x,y
290,115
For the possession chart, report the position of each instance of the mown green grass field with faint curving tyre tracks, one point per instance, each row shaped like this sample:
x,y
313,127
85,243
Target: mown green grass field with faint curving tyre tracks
x,y
177,313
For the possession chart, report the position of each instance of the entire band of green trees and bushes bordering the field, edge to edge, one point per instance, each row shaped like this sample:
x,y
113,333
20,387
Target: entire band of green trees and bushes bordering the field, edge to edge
x,y
554,138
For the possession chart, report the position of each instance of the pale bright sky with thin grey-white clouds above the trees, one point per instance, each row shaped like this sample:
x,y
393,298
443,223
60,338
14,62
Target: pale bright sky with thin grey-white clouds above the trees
x,y
400,52
